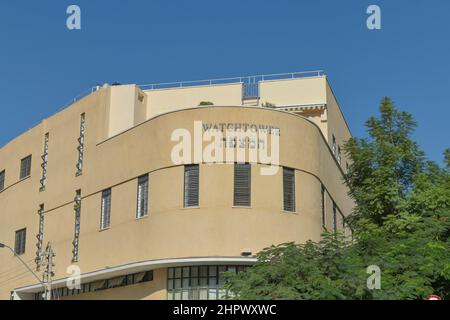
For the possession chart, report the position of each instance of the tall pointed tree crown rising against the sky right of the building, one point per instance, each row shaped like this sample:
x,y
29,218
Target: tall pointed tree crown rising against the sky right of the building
x,y
384,166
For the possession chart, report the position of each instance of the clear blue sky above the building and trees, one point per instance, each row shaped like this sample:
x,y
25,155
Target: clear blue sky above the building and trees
x,y
43,64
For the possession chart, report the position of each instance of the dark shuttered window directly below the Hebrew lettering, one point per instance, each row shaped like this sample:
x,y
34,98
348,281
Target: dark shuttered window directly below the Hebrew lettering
x,y
242,185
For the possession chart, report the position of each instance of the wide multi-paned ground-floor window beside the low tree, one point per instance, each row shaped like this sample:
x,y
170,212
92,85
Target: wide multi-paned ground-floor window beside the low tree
x,y
198,282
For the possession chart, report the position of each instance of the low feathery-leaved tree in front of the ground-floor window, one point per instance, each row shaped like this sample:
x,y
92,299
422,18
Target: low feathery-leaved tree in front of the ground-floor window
x,y
325,270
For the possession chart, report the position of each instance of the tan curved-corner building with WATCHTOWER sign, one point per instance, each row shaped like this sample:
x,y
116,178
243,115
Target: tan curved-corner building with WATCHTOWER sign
x,y
99,182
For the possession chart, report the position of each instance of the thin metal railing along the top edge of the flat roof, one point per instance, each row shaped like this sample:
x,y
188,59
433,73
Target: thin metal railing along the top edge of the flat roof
x,y
246,80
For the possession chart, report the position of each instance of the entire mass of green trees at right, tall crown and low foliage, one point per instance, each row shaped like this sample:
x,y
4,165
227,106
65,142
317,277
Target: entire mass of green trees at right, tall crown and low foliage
x,y
401,223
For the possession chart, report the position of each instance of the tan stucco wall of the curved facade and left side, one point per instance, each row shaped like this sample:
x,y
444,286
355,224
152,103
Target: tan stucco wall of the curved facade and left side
x,y
213,229
